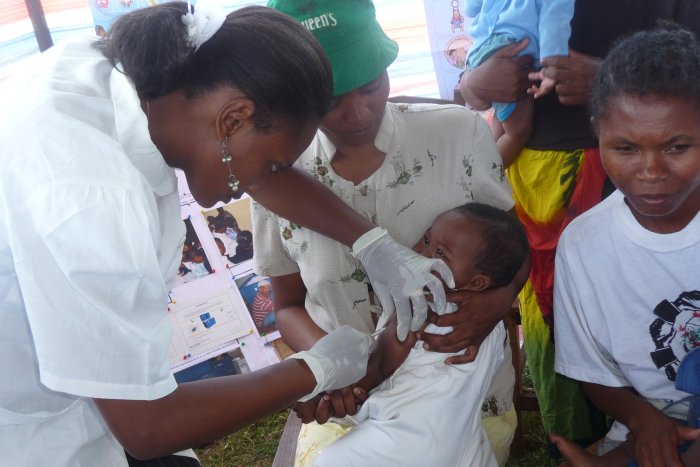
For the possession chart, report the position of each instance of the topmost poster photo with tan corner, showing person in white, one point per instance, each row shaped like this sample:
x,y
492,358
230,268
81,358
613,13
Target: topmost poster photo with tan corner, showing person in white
x,y
231,227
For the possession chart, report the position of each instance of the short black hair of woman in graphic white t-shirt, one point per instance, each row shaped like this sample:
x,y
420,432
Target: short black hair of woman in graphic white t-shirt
x,y
659,62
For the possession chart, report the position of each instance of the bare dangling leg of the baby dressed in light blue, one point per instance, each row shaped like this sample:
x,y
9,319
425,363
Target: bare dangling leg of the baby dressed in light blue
x,y
512,133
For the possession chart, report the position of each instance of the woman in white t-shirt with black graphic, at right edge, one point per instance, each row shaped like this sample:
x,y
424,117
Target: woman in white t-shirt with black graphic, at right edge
x,y
627,288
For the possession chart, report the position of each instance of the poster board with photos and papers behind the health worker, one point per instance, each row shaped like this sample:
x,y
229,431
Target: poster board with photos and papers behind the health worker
x,y
220,310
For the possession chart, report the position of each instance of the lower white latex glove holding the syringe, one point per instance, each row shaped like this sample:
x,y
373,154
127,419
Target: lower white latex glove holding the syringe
x,y
337,360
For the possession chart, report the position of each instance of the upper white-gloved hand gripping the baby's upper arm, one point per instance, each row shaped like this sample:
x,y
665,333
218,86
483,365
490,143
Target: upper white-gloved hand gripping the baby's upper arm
x,y
399,275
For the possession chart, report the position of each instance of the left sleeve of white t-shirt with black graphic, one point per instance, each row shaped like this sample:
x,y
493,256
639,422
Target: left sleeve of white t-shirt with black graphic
x,y
578,353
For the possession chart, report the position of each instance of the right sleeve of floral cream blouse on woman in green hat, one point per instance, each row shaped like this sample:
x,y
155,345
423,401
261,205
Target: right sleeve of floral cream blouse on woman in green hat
x,y
490,185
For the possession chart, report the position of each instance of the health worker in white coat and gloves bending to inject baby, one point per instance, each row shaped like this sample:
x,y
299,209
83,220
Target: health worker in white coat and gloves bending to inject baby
x,y
91,234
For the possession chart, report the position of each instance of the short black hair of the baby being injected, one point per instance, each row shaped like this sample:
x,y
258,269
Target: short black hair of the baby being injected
x,y
505,243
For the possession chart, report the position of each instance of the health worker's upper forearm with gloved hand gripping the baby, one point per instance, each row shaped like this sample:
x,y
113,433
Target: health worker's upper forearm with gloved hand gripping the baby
x,y
397,274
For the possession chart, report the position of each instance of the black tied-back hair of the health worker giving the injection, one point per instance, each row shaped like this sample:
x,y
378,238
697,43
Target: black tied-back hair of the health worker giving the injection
x,y
266,54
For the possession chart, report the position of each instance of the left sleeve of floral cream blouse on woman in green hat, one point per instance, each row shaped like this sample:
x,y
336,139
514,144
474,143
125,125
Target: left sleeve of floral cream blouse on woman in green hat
x,y
270,257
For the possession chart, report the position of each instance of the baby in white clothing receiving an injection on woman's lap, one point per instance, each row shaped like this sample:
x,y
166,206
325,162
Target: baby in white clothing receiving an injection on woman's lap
x,y
426,402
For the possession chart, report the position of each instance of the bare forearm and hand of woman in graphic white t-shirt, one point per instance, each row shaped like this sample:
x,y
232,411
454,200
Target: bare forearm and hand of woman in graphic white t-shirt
x,y
656,436
